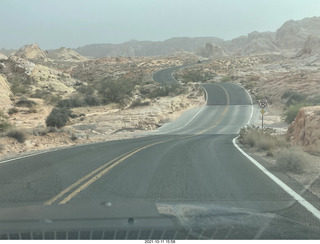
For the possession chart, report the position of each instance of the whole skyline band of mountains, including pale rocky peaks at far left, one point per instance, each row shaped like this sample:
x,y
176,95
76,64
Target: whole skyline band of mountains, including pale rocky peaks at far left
x,y
301,36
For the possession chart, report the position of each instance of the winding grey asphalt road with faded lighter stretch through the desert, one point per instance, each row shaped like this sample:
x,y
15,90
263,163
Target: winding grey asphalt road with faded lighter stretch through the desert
x,y
190,161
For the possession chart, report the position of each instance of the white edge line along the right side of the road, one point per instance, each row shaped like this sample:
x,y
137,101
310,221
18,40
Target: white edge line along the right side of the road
x,y
285,187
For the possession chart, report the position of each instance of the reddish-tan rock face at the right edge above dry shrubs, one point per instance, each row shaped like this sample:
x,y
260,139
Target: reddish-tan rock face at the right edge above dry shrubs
x,y
304,130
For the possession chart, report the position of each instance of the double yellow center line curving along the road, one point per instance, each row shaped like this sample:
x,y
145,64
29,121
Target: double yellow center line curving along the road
x,y
67,194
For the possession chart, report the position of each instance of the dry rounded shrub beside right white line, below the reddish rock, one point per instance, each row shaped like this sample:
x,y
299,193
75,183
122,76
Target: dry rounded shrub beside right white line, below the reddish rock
x,y
292,159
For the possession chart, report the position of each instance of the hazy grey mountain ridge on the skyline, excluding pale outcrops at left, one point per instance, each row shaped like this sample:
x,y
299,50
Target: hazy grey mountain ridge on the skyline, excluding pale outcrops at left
x,y
291,35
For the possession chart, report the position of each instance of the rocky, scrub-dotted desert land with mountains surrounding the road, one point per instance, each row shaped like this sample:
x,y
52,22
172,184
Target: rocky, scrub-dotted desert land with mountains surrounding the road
x,y
114,97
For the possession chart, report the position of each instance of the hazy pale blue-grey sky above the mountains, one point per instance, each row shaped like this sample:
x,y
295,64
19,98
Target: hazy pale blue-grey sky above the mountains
x,y
73,23
